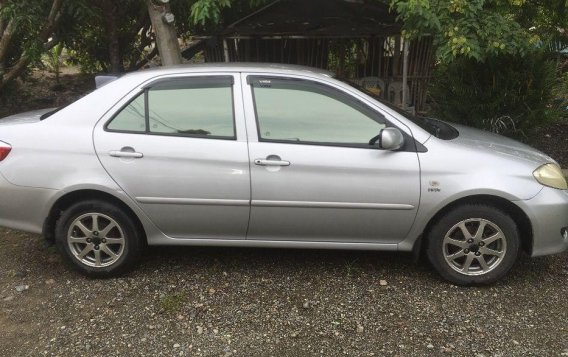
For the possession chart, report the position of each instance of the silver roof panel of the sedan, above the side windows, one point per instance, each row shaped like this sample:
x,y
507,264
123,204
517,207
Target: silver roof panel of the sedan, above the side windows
x,y
237,67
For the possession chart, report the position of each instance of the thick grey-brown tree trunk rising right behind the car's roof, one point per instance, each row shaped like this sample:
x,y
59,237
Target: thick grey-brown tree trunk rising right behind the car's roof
x,y
166,36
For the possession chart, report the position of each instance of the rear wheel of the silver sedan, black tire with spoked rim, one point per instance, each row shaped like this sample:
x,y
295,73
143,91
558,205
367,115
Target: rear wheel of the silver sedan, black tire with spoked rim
x,y
127,241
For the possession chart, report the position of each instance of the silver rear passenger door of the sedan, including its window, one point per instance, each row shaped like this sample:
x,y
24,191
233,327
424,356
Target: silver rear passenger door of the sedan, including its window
x,y
178,148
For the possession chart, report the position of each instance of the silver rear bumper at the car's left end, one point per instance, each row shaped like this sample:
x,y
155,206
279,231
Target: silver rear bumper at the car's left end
x,y
23,208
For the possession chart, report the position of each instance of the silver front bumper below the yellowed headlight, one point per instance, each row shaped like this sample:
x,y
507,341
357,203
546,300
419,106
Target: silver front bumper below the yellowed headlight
x,y
548,212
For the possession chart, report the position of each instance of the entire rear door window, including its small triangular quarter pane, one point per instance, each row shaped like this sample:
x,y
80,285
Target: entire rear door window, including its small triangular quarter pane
x,y
201,107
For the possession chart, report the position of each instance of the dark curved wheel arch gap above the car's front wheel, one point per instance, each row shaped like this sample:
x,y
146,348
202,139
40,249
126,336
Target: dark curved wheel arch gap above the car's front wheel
x,y
516,213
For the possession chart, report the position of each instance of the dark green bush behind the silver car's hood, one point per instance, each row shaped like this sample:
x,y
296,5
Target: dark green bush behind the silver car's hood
x,y
506,93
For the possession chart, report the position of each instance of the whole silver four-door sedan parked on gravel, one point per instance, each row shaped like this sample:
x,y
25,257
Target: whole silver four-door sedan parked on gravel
x,y
272,156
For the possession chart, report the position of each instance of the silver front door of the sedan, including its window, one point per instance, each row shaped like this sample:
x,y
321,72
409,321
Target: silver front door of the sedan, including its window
x,y
314,175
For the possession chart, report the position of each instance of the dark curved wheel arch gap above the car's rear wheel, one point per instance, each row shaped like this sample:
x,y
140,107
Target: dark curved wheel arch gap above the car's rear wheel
x,y
70,198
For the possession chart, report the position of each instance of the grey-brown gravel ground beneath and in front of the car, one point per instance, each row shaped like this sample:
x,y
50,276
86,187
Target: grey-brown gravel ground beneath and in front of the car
x,y
258,302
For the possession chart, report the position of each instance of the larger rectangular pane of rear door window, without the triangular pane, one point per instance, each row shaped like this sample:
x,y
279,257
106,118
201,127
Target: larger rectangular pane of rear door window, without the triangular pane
x,y
192,108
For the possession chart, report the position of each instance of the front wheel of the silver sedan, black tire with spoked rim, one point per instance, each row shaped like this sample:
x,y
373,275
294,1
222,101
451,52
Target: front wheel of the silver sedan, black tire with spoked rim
x,y
449,248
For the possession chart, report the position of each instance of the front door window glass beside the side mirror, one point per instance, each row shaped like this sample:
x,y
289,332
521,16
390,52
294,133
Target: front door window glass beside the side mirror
x,y
302,111
